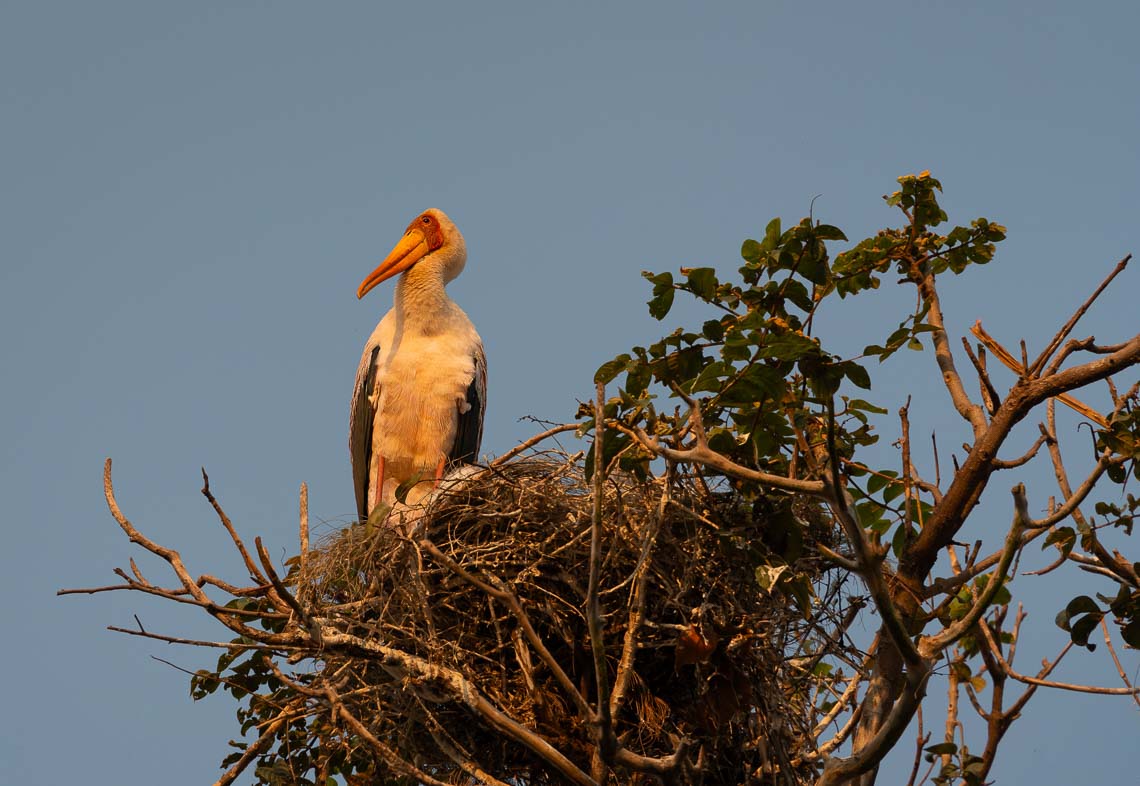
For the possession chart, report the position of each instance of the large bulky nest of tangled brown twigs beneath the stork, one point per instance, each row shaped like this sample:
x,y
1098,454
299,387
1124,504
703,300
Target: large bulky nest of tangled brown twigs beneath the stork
x,y
710,659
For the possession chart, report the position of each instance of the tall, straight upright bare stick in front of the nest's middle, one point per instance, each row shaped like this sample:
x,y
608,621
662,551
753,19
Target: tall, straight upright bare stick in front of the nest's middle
x,y
608,743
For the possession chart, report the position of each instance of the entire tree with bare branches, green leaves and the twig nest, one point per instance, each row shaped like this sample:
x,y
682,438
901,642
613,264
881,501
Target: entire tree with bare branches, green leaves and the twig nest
x,y
677,603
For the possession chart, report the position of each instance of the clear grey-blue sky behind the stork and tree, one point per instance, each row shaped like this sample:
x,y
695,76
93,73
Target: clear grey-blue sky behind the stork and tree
x,y
192,192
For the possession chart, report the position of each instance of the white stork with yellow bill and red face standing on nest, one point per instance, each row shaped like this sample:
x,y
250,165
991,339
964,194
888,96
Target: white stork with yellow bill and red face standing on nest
x,y
422,383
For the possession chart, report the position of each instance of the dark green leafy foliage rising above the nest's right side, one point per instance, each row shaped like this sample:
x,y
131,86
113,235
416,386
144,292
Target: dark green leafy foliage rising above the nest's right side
x,y
770,395
